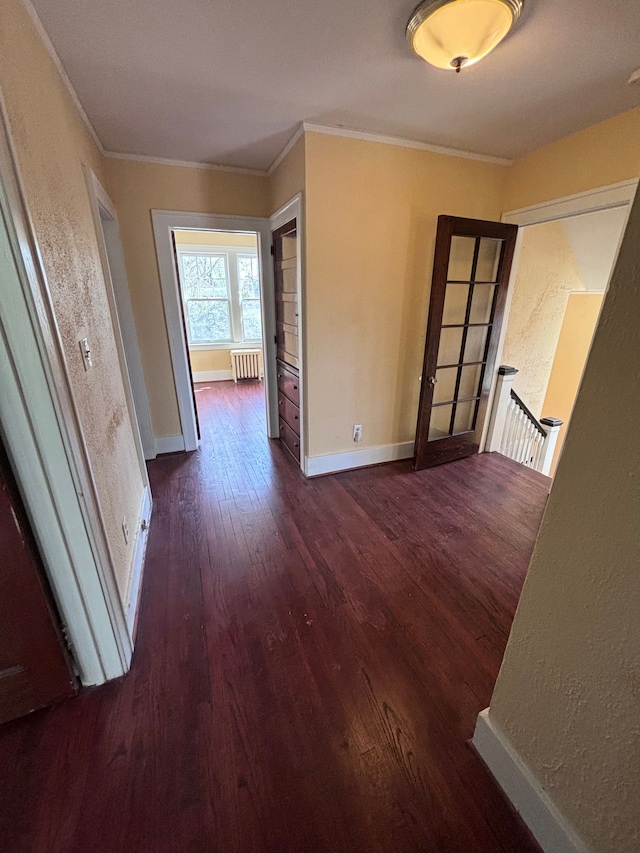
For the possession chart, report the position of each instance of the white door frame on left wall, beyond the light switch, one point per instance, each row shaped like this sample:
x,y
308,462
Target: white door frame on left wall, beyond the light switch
x,y
105,220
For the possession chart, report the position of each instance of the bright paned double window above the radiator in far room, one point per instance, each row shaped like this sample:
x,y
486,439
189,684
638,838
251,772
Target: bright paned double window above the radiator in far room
x,y
221,294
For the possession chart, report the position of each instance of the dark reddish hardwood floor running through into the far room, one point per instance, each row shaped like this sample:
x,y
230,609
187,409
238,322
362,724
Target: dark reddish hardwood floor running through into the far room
x,y
311,658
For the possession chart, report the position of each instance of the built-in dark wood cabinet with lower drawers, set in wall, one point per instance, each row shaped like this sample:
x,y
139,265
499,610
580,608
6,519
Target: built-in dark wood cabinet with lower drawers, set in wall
x,y
285,264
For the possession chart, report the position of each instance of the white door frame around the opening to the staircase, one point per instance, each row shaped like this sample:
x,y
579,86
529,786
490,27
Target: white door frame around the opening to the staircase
x,y
611,196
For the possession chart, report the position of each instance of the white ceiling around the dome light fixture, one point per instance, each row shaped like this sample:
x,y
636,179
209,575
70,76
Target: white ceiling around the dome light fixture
x,y
228,81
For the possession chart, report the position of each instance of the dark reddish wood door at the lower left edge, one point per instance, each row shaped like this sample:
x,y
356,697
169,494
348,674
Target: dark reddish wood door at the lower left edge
x,y
34,671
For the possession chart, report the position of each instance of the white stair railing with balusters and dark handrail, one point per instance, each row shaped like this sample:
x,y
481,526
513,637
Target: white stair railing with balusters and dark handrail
x,y
515,432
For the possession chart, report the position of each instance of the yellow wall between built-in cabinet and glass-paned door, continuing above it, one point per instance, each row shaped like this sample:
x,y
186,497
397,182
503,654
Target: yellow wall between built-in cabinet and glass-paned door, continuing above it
x,y
371,213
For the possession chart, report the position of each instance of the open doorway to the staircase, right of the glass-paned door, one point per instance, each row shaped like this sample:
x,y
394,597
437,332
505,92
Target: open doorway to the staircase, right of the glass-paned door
x,y
564,259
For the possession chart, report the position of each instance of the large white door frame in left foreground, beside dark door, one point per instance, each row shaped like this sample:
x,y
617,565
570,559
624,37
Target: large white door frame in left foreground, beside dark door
x,y
43,437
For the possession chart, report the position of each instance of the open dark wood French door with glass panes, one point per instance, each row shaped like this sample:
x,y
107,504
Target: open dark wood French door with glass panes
x,y
471,272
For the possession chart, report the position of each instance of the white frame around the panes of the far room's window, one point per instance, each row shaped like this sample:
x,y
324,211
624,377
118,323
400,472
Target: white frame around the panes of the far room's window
x,y
231,255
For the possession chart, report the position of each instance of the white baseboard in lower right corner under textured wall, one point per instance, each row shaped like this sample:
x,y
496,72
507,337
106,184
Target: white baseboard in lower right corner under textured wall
x,y
551,829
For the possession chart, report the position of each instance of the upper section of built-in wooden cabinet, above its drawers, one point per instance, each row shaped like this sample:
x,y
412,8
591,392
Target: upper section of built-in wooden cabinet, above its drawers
x,y
285,266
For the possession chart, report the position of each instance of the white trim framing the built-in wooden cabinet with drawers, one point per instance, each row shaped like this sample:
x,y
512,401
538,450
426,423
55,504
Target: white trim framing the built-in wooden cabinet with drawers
x,y
293,209
